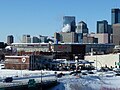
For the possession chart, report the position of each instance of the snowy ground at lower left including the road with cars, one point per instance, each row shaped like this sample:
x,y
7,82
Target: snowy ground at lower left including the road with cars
x,y
21,77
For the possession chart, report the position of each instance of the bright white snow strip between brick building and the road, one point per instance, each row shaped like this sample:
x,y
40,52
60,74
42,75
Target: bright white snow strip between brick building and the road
x,y
24,73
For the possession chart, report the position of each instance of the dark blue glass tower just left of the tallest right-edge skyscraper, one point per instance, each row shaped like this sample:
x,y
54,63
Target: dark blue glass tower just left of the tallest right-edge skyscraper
x,y
102,26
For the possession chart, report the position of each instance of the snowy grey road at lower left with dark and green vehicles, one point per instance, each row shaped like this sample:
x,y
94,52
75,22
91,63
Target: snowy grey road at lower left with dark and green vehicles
x,y
24,80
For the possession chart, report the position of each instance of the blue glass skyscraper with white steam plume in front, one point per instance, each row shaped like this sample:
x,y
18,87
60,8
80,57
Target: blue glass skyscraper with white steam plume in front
x,y
69,21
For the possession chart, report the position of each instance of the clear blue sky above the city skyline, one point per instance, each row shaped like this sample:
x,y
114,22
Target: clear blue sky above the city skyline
x,y
44,17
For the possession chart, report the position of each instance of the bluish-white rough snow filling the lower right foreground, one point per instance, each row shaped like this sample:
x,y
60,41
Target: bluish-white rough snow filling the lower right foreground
x,y
89,83
